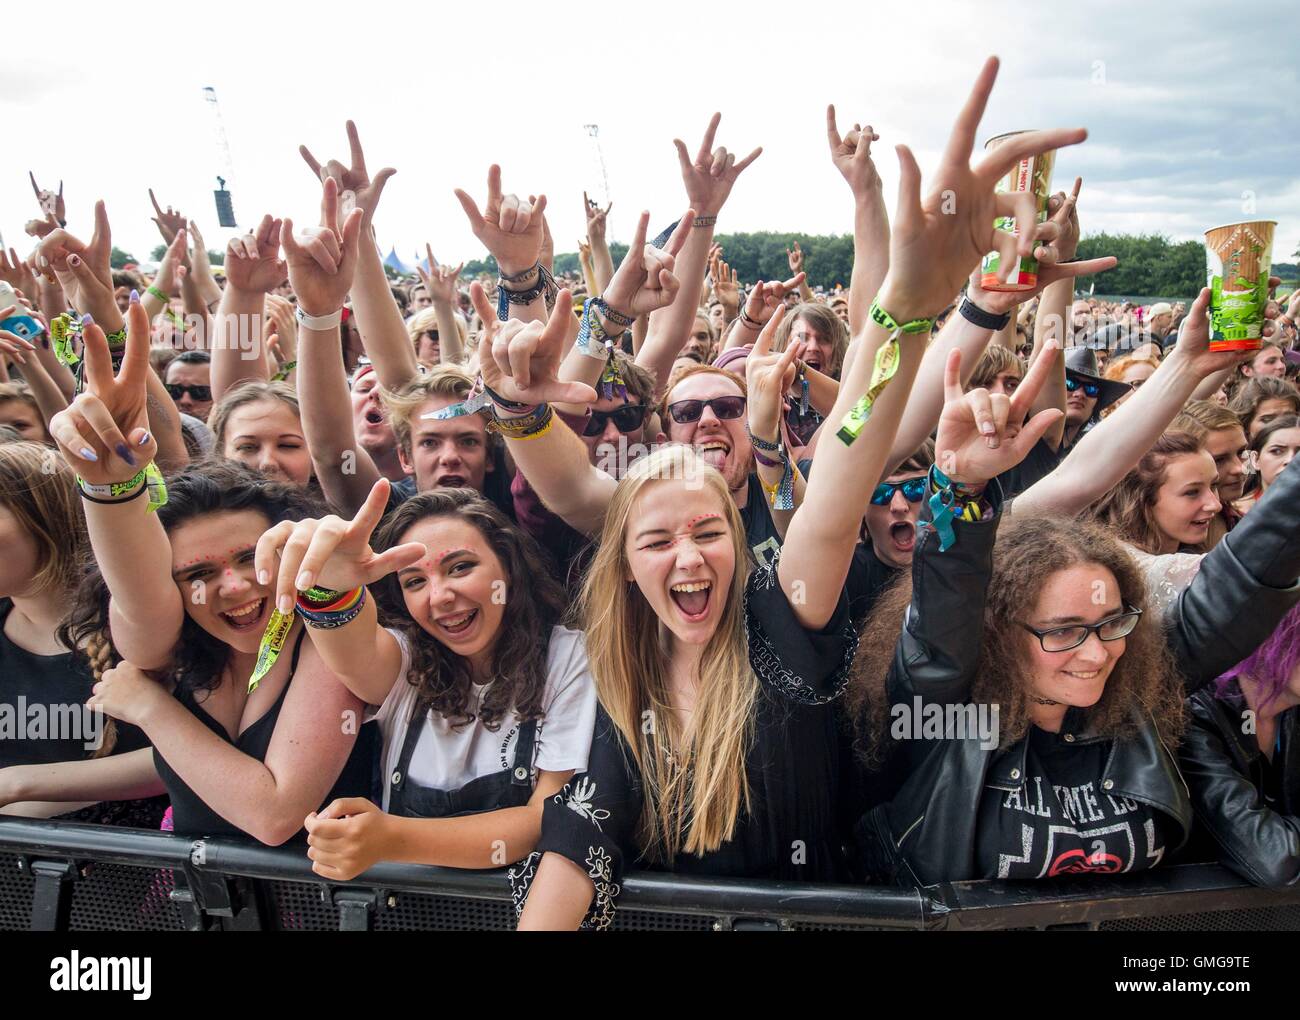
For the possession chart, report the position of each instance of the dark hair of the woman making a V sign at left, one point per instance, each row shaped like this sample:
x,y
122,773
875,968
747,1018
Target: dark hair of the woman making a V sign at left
x,y
209,488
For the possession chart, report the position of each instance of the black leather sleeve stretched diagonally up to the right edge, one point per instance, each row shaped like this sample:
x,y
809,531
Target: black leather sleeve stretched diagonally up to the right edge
x,y
1243,589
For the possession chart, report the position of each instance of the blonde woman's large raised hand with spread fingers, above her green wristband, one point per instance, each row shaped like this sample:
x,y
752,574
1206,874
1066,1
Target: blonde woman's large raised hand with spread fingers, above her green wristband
x,y
937,244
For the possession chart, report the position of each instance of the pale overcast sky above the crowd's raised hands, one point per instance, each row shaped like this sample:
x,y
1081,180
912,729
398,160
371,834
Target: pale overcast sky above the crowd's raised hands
x,y
1190,107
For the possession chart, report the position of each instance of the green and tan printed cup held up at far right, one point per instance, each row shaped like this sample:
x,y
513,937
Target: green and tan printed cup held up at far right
x,y
1238,261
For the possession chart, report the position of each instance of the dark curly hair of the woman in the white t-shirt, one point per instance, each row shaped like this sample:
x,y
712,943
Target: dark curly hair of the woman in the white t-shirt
x,y
443,678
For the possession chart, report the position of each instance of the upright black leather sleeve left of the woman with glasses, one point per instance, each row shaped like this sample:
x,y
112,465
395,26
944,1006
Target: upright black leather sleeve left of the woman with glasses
x,y
941,643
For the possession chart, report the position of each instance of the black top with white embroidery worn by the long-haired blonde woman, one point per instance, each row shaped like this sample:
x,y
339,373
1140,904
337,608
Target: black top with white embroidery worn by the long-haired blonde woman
x,y
792,769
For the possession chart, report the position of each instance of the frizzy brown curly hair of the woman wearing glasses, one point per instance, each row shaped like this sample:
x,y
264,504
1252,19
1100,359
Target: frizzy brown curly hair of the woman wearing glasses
x,y
1030,550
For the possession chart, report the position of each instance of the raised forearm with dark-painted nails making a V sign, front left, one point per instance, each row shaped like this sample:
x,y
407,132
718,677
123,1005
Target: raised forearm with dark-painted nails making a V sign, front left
x,y
105,439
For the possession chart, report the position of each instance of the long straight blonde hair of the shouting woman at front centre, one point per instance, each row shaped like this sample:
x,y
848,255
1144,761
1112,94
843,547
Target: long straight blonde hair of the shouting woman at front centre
x,y
696,785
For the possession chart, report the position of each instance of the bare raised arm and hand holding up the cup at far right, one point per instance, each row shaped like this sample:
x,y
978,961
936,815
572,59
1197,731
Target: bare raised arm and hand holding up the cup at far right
x,y
1115,446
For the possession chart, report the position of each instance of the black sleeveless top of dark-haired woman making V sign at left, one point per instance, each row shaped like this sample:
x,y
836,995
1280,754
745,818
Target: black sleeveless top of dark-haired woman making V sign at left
x,y
192,817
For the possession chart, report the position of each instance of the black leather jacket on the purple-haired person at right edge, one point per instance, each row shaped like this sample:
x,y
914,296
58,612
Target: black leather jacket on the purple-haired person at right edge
x,y
1227,772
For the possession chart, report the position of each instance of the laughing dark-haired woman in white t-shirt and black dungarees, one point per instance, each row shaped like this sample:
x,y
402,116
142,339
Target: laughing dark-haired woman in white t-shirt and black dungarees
x,y
484,698
